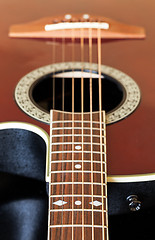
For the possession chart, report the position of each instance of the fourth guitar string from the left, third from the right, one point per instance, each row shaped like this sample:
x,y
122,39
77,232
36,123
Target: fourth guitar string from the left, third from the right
x,y
82,110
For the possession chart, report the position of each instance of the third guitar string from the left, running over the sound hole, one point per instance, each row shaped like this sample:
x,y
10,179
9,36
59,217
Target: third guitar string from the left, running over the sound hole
x,y
73,53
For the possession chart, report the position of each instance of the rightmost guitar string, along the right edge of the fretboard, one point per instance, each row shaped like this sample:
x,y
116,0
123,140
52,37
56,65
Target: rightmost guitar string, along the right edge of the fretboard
x,y
100,117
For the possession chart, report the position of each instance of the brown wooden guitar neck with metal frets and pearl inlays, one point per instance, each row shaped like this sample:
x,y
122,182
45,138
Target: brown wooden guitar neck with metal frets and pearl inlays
x,y
78,180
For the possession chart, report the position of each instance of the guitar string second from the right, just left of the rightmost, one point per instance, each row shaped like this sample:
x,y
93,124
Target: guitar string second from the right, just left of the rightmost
x,y
91,119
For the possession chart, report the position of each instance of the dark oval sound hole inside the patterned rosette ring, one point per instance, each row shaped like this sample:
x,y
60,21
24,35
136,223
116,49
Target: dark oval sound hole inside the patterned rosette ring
x,y
45,97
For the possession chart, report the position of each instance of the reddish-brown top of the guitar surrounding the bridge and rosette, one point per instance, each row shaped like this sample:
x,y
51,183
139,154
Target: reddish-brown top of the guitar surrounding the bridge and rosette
x,y
130,144
